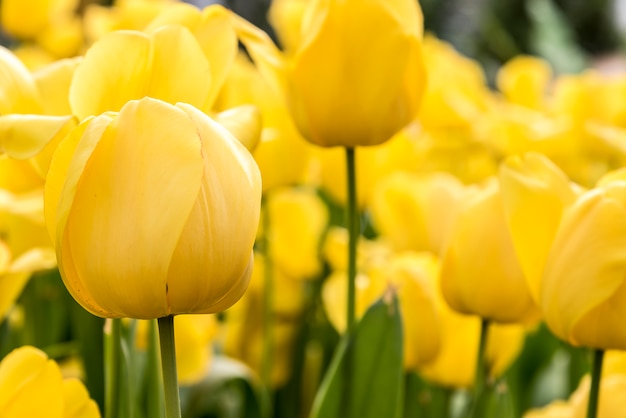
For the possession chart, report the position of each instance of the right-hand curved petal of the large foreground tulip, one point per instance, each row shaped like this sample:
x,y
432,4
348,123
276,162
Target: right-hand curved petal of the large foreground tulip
x,y
230,193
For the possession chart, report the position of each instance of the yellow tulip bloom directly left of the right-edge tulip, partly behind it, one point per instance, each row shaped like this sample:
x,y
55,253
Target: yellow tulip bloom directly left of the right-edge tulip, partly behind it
x,y
480,273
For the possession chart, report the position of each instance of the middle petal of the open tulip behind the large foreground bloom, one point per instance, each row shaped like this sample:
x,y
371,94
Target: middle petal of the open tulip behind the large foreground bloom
x,y
179,71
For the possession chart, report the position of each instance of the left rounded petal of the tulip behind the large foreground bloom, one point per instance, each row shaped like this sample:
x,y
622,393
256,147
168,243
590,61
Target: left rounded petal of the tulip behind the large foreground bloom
x,y
115,70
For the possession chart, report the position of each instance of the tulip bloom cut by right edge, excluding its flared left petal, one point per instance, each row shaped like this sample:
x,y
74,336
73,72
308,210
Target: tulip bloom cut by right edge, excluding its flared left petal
x,y
583,293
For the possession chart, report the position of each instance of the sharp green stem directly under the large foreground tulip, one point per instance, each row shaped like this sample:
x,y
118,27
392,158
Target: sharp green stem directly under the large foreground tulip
x,y
168,364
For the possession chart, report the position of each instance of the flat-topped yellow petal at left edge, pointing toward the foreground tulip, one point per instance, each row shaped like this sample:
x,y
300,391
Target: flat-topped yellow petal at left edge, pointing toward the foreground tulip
x,y
23,136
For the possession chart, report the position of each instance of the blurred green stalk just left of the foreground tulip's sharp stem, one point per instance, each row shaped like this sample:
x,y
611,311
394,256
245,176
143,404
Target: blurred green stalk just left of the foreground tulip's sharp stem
x,y
113,355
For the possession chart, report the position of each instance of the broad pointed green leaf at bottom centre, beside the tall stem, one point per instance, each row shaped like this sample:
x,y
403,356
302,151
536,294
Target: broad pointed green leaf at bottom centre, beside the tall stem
x,y
365,378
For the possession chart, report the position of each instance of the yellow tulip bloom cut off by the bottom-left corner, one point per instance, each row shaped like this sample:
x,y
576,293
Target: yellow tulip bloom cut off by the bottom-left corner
x,y
31,385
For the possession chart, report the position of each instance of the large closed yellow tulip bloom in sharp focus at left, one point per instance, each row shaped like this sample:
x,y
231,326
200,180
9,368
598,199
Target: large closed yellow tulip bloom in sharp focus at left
x,y
153,212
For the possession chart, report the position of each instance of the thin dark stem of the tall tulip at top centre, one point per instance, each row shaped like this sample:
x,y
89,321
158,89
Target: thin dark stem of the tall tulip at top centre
x,y
353,231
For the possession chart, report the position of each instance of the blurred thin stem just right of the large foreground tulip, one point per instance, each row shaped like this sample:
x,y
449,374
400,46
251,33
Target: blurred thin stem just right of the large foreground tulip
x,y
268,304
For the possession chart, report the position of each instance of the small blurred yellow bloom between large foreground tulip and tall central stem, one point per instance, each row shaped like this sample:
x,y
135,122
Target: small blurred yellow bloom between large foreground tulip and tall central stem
x,y
297,219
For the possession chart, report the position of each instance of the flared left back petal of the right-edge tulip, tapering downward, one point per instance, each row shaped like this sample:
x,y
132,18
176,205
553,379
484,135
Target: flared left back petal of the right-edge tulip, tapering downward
x,y
535,193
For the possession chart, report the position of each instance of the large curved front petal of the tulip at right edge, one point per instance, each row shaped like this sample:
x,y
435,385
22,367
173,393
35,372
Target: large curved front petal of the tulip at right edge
x,y
586,265
